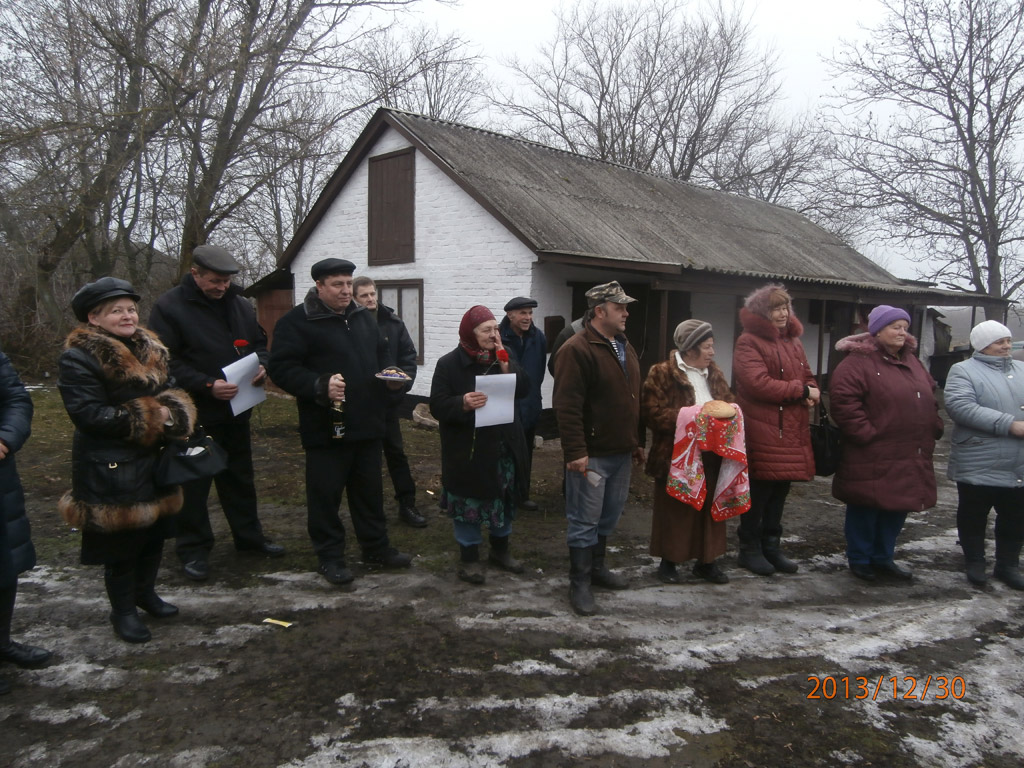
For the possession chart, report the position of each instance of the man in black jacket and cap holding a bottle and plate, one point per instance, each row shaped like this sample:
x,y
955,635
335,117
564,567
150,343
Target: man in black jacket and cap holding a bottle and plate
x,y
327,353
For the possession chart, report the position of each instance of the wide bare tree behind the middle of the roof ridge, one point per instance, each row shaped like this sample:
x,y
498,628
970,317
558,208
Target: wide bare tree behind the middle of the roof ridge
x,y
690,97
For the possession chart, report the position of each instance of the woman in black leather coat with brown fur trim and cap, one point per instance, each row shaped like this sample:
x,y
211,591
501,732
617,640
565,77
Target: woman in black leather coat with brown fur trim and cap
x,y
117,391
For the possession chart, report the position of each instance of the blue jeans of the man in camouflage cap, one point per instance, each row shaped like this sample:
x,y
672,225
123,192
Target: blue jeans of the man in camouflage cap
x,y
594,502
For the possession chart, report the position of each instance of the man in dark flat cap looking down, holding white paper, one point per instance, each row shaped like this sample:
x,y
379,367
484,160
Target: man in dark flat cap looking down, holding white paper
x,y
206,325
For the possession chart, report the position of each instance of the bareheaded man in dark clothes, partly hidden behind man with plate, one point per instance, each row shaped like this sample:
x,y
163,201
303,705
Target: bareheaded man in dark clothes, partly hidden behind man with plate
x,y
403,354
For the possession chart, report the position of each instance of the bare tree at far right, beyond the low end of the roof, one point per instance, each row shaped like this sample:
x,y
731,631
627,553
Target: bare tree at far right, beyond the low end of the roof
x,y
929,136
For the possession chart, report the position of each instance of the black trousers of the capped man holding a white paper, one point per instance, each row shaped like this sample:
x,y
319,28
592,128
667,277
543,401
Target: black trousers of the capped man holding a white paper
x,y
236,490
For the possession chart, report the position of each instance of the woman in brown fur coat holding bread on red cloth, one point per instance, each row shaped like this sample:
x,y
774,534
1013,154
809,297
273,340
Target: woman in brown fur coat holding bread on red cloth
x,y
680,533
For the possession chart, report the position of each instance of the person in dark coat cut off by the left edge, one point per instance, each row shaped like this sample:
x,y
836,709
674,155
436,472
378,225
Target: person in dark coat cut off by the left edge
x,y
17,552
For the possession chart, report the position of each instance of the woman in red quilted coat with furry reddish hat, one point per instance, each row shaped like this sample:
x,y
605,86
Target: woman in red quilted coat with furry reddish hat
x,y
776,388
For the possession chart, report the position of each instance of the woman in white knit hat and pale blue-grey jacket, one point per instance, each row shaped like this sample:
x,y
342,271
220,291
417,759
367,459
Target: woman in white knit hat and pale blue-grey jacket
x,y
986,400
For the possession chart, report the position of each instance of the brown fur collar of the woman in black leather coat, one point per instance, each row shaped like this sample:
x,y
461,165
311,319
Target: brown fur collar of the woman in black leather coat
x,y
141,360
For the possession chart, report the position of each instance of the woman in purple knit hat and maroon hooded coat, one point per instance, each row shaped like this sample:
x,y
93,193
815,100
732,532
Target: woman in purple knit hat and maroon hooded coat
x,y
883,401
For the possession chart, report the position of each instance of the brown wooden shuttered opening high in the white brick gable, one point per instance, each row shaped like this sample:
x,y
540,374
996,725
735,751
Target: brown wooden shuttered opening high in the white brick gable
x,y
392,208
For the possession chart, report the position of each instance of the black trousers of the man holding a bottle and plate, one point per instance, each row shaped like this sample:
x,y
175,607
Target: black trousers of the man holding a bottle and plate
x,y
354,468
